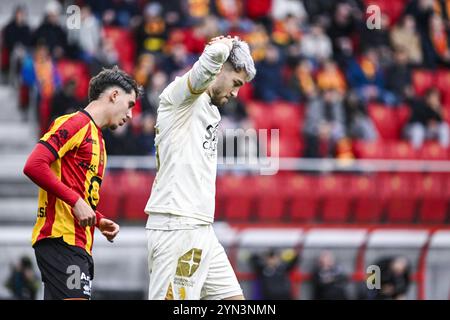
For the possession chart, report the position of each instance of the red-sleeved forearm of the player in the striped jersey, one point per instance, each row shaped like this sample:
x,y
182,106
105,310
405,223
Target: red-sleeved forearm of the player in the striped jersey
x,y
37,168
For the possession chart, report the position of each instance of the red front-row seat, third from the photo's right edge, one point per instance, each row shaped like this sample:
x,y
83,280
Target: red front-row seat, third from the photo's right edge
x,y
367,205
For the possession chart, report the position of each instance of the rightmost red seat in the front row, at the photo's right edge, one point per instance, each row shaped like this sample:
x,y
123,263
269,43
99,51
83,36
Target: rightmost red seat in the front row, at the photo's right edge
x,y
433,208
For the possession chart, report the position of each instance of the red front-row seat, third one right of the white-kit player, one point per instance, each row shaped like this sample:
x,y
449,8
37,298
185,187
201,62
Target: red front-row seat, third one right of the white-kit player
x,y
304,198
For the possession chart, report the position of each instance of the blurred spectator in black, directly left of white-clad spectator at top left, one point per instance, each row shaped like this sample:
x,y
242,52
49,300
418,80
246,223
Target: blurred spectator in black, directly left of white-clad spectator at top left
x,y
51,33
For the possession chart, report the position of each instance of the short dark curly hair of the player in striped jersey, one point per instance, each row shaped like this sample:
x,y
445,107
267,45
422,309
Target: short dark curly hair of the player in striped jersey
x,y
108,78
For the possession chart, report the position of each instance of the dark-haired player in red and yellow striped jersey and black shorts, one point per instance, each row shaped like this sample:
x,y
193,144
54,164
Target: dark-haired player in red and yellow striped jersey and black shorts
x,y
68,164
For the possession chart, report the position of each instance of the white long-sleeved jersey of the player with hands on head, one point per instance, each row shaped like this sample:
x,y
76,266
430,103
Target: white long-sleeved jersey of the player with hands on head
x,y
186,142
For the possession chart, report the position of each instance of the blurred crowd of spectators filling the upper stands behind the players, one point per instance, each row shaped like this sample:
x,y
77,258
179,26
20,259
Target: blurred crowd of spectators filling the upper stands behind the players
x,y
318,56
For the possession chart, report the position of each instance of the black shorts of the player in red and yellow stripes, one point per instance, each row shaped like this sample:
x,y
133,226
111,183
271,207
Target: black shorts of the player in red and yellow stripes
x,y
67,271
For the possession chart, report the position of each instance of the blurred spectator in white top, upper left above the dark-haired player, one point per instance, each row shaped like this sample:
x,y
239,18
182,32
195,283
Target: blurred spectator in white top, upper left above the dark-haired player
x,y
87,37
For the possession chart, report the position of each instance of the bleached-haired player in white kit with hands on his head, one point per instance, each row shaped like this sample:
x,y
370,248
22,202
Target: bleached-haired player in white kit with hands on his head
x,y
185,259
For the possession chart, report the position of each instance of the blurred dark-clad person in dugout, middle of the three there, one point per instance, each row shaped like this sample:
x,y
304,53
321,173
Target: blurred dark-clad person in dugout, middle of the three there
x,y
328,279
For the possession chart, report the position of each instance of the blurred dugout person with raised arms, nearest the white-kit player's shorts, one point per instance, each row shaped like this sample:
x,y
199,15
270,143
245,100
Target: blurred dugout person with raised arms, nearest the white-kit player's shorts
x,y
272,271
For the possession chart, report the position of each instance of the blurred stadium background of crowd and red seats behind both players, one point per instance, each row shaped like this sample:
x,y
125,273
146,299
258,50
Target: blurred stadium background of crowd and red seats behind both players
x,y
361,99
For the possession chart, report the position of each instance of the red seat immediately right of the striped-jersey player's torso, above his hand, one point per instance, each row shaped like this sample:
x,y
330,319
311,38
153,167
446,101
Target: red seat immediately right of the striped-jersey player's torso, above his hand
x,y
110,196
